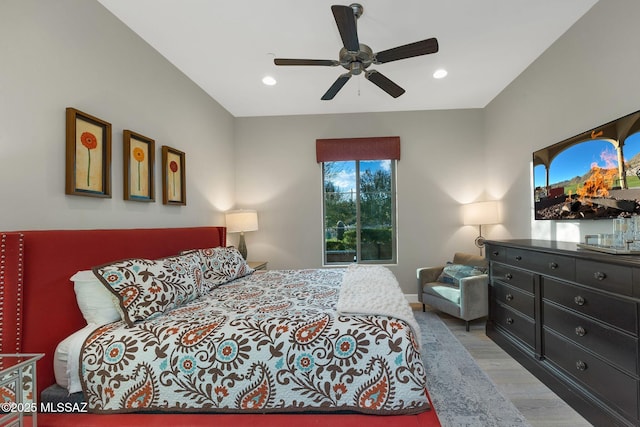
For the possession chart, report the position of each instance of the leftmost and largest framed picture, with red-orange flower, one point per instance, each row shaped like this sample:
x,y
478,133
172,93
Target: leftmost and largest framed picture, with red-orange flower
x,y
88,155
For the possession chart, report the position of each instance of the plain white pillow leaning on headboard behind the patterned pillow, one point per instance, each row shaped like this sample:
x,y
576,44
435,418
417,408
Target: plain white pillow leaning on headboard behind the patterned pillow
x,y
97,304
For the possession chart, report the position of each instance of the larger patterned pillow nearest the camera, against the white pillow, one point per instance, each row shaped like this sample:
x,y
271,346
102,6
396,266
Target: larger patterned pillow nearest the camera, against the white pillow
x,y
147,288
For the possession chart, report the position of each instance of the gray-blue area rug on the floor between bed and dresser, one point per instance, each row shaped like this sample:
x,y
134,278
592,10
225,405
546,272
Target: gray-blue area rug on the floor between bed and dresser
x,y
462,394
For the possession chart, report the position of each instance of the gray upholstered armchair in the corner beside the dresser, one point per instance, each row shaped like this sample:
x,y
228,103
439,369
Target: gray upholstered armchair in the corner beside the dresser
x,y
469,301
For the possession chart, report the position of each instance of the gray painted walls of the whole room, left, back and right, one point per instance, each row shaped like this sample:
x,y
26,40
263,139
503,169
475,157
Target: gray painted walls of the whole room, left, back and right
x,y
75,53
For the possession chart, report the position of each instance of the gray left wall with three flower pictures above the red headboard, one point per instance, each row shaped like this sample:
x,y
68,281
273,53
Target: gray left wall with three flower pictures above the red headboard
x,y
74,53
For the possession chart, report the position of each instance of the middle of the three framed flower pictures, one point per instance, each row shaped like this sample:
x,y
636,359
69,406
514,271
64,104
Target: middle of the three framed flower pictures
x,y
138,160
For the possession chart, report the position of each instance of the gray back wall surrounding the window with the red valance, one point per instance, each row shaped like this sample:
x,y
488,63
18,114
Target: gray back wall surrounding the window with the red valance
x,y
441,166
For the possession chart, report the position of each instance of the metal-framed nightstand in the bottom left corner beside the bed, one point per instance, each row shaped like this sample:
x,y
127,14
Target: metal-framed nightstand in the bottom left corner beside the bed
x,y
17,386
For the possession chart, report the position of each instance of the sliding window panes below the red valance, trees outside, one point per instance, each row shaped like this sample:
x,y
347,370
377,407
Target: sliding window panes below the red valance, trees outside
x,y
359,211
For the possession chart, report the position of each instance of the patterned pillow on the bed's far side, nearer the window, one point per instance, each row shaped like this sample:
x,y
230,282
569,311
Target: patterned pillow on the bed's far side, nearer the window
x,y
220,265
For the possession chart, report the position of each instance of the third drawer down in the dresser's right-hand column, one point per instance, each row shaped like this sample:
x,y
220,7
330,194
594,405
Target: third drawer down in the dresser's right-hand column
x,y
618,348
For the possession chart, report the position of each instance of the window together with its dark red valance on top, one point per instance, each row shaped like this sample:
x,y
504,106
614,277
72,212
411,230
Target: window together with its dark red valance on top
x,y
359,199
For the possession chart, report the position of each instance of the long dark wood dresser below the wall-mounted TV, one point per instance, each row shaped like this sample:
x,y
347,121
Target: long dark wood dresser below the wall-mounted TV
x,y
570,316
